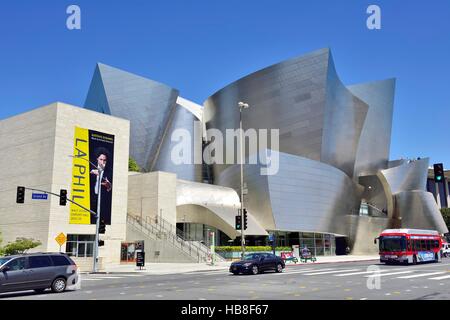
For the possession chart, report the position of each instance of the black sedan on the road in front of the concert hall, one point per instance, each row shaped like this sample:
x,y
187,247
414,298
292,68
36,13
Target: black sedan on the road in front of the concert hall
x,y
254,263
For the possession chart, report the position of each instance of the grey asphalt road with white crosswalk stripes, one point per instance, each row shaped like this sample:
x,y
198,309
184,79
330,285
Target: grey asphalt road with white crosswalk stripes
x,y
338,281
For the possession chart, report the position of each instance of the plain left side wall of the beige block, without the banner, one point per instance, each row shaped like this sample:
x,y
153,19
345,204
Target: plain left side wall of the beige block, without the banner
x,y
27,144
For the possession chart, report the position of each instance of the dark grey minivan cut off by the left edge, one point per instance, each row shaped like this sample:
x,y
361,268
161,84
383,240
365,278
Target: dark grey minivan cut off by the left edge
x,y
38,272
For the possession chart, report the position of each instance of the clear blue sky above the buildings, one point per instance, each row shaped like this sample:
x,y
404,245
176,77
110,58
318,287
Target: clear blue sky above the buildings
x,y
198,46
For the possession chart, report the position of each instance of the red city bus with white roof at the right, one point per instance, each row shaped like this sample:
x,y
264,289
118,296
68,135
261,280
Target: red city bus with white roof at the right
x,y
409,246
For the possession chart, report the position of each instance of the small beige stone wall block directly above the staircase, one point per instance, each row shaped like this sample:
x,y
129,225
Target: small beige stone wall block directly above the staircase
x,y
152,194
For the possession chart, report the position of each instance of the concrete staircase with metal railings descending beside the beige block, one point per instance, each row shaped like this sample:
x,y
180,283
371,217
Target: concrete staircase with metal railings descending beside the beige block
x,y
164,243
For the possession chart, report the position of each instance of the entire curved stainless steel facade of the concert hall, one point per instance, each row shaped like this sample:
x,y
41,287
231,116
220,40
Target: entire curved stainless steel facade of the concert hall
x,y
334,170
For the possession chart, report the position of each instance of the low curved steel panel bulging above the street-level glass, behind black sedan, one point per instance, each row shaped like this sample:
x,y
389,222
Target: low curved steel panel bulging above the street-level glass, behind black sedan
x,y
305,195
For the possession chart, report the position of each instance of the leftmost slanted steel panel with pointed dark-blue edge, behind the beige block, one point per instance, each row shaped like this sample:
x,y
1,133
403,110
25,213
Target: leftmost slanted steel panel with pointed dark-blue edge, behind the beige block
x,y
146,103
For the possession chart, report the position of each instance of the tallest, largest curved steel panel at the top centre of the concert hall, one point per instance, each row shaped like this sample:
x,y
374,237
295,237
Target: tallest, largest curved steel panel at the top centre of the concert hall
x,y
318,117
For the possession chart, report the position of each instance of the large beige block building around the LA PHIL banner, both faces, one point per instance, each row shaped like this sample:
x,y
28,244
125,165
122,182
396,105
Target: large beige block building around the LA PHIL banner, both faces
x,y
38,145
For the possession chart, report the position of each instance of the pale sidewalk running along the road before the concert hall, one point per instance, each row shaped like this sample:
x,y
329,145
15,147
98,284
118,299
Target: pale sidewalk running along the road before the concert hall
x,y
173,268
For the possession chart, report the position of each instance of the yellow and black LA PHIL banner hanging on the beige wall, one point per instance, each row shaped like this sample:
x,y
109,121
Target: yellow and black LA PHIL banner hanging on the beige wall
x,y
98,147
